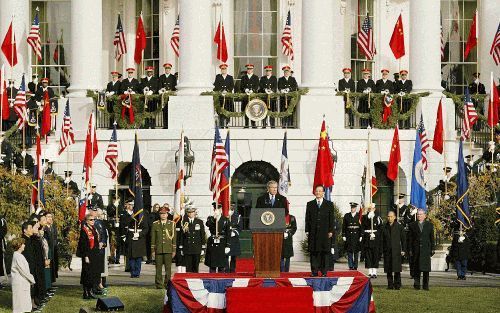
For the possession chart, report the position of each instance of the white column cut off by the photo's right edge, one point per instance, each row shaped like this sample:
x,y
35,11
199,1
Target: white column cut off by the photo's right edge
x,y
489,12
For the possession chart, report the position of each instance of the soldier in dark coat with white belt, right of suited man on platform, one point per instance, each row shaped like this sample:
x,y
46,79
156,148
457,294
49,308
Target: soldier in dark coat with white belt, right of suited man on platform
x,y
372,239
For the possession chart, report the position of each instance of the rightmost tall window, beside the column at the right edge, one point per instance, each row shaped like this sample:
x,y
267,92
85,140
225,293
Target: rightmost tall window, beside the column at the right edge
x,y
456,19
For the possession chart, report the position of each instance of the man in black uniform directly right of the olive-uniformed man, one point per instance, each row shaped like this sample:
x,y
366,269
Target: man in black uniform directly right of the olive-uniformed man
x,y
193,240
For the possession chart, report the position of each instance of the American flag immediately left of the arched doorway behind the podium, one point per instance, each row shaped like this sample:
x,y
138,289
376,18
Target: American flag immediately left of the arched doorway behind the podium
x,y
219,164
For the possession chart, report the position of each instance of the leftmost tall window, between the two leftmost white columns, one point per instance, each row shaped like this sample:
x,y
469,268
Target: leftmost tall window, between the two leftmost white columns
x,y
55,32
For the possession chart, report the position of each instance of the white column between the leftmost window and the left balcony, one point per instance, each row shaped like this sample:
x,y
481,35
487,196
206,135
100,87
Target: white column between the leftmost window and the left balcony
x,y
86,46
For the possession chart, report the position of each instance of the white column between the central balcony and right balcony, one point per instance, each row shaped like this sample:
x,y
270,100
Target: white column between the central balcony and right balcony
x,y
319,45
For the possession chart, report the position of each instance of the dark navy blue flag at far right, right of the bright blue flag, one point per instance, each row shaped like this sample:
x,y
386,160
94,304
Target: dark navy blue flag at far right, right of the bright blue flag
x,y
462,205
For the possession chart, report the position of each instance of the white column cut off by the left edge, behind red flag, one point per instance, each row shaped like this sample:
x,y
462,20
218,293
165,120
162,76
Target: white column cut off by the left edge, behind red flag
x,y
21,11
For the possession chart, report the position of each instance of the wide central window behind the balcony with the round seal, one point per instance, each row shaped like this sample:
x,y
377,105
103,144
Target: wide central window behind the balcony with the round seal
x,y
255,34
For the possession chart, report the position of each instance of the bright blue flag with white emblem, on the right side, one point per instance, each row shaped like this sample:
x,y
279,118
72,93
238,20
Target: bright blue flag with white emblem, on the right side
x,y
418,192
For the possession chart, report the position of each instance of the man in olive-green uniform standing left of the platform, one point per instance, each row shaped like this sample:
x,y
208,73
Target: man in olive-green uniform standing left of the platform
x,y
163,240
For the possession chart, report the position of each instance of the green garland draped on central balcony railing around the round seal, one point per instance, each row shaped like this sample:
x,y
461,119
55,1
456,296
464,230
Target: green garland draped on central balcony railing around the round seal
x,y
293,100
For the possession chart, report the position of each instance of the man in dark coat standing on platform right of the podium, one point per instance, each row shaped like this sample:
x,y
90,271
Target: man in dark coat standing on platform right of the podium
x,y
319,227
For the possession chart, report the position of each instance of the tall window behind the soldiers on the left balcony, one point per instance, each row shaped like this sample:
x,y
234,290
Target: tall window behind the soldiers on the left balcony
x,y
150,13
